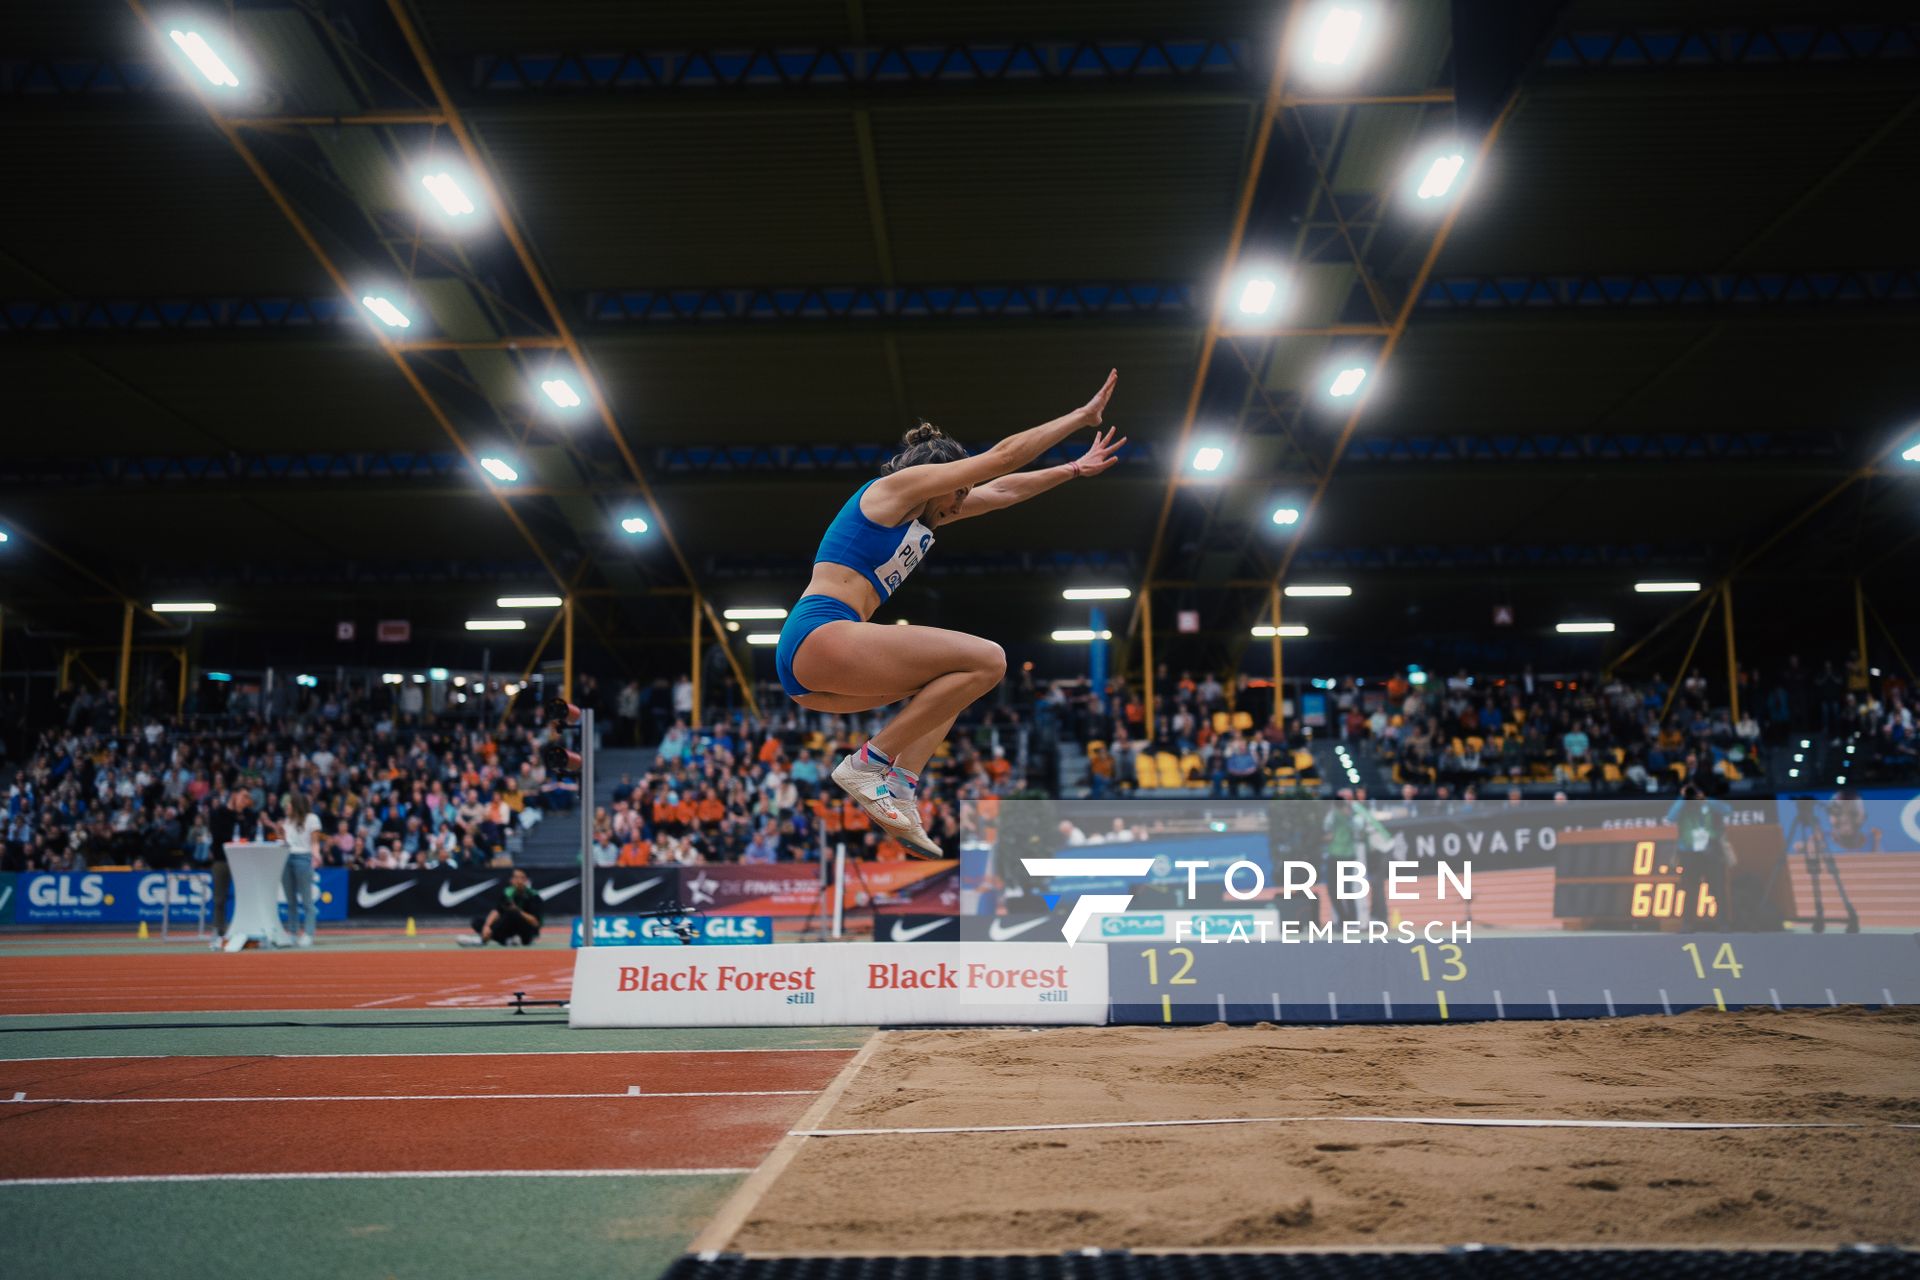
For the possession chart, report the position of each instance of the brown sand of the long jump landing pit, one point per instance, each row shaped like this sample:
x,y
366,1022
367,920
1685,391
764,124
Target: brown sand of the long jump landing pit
x,y
1343,1183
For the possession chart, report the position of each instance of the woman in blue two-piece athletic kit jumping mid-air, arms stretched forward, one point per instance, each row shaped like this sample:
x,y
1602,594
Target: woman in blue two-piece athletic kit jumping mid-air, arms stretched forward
x,y
832,659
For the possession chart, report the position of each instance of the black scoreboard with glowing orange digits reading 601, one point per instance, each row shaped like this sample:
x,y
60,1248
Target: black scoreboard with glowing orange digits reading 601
x,y
1641,878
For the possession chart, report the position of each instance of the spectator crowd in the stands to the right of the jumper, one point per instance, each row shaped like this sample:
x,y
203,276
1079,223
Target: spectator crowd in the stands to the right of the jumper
x,y
1466,732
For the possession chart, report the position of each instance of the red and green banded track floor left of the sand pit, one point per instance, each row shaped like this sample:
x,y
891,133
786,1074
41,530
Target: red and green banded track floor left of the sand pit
x,y
354,1112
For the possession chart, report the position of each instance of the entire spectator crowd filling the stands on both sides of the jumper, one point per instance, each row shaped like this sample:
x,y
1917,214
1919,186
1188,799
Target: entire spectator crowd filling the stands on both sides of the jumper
x,y
398,788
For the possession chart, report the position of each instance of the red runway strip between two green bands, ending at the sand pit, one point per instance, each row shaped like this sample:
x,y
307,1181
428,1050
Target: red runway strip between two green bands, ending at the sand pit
x,y
406,1114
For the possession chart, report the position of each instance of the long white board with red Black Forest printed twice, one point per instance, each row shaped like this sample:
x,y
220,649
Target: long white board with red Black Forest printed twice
x,y
842,985
